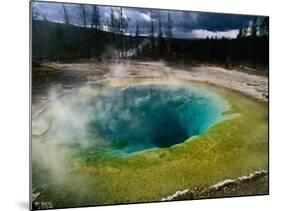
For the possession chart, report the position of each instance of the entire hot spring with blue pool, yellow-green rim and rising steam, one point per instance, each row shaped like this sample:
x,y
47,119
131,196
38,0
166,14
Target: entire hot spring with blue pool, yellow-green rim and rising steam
x,y
138,140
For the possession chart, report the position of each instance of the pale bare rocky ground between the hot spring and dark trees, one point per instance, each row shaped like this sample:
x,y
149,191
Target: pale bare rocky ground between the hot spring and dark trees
x,y
62,78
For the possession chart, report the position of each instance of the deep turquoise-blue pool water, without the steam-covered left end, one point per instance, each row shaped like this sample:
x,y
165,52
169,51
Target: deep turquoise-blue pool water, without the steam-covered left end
x,y
142,117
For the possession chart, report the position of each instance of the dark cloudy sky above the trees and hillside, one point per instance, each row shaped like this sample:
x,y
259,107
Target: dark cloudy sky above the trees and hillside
x,y
186,24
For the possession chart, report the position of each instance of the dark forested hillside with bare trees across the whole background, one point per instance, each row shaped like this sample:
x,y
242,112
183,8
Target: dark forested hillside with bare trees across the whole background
x,y
114,40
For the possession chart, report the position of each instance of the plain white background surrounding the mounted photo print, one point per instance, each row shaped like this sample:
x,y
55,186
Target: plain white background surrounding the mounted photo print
x,y
14,87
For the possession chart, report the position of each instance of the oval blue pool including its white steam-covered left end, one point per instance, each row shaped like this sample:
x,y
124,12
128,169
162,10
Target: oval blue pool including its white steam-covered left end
x,y
130,119
